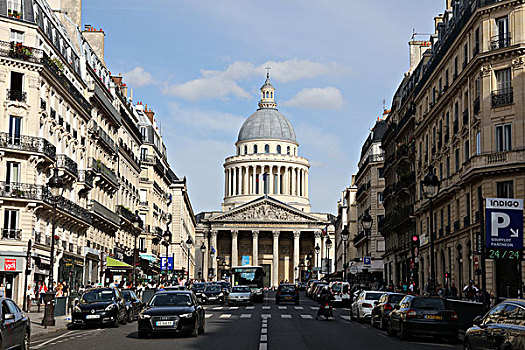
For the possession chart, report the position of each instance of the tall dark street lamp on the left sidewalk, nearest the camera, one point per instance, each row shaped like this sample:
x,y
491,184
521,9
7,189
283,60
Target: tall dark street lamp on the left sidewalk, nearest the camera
x,y
56,186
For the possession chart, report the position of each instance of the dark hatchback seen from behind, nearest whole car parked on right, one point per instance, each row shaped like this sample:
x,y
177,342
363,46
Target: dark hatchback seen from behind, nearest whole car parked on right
x,y
419,315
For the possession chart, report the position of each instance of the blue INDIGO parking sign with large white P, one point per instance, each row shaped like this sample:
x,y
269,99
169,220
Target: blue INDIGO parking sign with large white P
x,y
504,228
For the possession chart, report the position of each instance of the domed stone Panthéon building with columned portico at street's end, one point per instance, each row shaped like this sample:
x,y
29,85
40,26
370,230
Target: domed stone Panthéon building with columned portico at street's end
x,y
265,218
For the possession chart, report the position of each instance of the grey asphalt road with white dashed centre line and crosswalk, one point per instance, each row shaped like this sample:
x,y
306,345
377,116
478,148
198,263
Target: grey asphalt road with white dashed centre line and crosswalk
x,y
263,326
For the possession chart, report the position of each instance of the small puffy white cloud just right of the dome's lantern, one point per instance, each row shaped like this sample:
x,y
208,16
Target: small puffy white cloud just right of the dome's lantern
x,y
329,98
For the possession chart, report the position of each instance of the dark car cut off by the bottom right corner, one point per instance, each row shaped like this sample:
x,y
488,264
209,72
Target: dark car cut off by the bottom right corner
x,y
503,327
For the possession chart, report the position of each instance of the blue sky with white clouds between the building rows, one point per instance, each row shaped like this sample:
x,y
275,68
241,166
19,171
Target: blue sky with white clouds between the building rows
x,y
199,65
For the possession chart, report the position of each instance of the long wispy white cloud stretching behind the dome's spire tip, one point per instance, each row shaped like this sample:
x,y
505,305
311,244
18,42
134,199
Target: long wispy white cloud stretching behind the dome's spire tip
x,y
223,84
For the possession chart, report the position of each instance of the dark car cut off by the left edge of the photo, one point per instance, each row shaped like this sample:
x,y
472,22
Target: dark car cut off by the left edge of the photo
x,y
15,329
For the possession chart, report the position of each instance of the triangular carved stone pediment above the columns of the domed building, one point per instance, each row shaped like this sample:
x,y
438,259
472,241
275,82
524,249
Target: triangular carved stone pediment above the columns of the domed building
x,y
266,209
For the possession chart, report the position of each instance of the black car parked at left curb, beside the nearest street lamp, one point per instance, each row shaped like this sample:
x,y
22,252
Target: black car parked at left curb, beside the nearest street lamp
x,y
100,306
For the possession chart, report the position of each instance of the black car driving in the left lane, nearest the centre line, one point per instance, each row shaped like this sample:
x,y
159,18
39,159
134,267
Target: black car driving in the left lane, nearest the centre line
x,y
172,311
